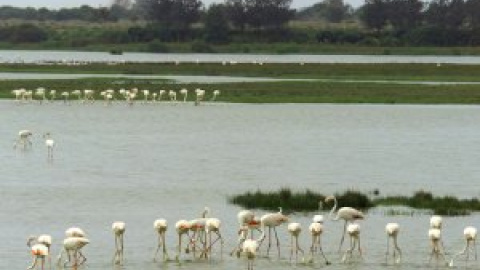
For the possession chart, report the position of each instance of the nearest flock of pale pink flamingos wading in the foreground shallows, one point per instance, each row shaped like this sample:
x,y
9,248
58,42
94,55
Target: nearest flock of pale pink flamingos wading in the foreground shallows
x,y
203,234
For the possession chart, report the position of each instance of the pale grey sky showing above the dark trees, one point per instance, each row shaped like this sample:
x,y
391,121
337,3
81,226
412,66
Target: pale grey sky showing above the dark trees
x,y
56,4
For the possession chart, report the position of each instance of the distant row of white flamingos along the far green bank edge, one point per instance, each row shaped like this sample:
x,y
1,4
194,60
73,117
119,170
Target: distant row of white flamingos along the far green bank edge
x,y
129,96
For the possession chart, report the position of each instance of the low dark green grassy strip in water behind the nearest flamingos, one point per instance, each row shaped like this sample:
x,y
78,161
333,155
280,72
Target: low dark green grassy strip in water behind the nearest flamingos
x,y
309,200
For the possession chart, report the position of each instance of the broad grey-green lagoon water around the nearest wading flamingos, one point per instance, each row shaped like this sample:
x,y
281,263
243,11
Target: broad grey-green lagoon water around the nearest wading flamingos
x,y
140,163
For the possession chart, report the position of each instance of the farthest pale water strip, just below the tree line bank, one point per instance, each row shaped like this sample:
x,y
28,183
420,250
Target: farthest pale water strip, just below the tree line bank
x,y
26,56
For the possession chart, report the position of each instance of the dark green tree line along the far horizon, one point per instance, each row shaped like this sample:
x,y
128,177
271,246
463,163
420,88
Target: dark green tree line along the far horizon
x,y
381,22
